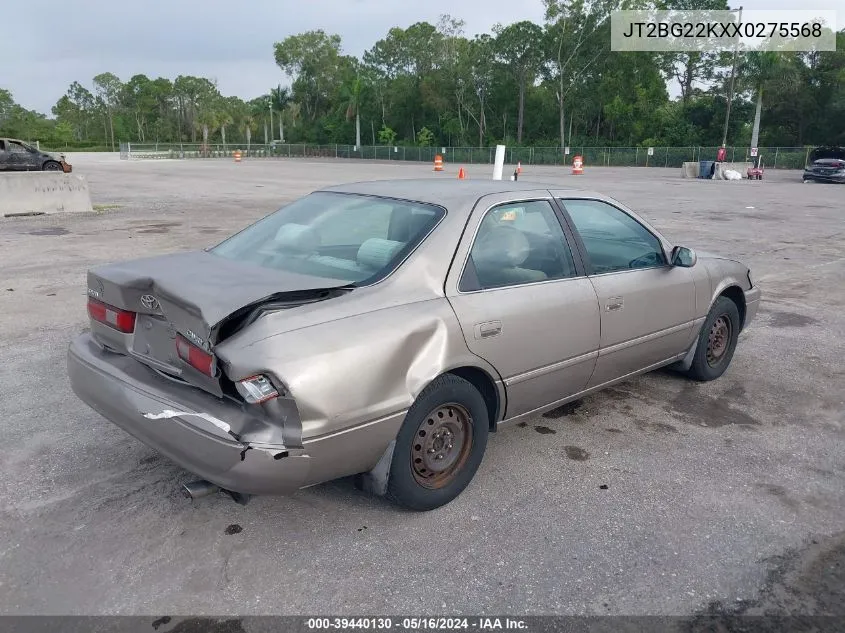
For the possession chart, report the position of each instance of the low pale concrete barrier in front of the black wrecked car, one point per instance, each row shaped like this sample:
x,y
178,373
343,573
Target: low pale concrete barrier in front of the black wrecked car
x,y
40,192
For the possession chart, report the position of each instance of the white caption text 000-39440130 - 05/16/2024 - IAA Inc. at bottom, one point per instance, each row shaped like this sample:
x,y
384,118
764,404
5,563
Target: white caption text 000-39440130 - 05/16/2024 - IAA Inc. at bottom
x,y
416,624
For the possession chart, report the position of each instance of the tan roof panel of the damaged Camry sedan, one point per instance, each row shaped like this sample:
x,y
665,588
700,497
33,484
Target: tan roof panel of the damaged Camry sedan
x,y
448,193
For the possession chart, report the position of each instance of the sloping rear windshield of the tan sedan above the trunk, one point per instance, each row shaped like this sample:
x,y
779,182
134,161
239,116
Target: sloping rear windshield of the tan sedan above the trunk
x,y
356,238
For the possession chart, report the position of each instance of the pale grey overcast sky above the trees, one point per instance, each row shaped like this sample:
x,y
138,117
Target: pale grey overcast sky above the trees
x,y
46,47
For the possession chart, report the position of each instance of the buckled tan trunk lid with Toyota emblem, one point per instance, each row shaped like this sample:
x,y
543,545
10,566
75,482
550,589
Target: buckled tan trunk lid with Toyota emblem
x,y
199,295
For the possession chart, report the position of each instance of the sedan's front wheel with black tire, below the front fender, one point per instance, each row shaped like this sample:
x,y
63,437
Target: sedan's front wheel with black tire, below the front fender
x,y
715,345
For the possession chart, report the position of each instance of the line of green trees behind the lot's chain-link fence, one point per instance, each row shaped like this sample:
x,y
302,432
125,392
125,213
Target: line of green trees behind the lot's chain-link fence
x,y
551,84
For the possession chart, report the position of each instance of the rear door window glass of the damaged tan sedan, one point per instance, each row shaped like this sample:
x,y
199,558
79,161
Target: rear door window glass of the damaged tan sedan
x,y
518,243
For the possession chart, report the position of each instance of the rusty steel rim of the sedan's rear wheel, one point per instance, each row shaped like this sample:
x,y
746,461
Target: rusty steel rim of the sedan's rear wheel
x,y
442,444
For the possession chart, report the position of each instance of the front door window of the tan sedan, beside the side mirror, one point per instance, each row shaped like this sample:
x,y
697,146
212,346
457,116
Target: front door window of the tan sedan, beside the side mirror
x,y
613,239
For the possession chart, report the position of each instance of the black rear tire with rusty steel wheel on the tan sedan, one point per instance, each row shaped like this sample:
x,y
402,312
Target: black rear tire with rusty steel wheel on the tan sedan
x,y
461,405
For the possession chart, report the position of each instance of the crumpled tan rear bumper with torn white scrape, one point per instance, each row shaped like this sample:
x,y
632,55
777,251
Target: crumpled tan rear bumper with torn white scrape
x,y
188,434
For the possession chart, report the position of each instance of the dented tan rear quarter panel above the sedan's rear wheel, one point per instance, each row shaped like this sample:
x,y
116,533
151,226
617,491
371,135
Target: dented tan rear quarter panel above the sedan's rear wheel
x,y
362,368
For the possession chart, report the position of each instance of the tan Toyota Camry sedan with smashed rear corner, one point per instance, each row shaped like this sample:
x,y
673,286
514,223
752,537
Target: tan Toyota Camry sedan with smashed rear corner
x,y
384,330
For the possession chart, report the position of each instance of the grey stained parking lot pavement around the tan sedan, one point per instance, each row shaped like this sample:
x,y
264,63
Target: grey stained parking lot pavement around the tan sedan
x,y
658,496
